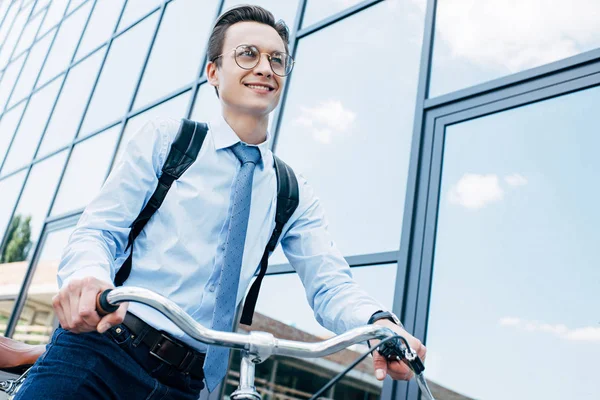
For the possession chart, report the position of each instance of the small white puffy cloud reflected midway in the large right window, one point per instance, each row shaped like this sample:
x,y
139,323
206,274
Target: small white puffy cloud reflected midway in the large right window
x,y
474,191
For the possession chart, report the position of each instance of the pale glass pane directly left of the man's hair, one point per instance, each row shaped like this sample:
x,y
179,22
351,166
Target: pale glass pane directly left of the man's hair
x,y
178,50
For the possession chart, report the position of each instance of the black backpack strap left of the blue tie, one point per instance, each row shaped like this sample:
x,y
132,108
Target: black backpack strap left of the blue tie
x,y
183,153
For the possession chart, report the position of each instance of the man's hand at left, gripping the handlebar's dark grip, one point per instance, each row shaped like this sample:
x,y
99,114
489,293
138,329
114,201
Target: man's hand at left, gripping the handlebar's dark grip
x,y
75,306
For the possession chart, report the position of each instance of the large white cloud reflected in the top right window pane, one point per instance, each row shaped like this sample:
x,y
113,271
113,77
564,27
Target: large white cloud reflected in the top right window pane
x,y
516,34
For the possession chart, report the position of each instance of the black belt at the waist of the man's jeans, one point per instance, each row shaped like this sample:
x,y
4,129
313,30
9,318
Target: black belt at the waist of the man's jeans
x,y
167,349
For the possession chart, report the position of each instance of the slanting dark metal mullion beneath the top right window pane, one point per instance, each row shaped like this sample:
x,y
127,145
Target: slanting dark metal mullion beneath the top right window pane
x,y
518,78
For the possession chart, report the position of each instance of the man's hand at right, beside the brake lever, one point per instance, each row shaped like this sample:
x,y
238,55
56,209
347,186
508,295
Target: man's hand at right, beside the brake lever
x,y
396,369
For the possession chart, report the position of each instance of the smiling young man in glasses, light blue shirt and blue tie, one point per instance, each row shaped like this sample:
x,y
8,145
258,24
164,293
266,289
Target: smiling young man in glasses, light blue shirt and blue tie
x,y
204,230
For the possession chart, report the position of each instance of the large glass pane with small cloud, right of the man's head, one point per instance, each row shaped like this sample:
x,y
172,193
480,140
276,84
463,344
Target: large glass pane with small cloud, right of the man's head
x,y
330,114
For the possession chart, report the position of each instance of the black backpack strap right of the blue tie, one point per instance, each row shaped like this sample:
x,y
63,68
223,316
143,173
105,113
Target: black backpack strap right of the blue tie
x,y
288,198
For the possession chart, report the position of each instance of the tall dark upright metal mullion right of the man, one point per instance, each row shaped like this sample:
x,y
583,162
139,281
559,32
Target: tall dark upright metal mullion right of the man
x,y
419,157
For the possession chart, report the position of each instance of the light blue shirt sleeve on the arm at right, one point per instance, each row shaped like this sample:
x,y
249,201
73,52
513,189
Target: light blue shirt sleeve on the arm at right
x,y
338,302
